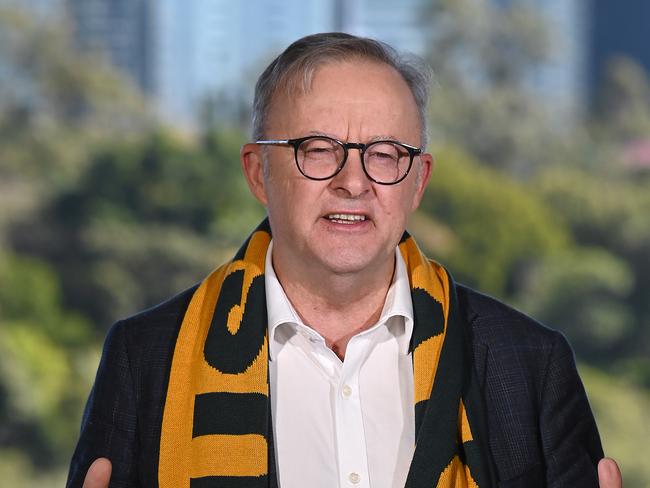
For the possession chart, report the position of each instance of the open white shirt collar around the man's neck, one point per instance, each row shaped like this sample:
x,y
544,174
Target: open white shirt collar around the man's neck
x,y
280,311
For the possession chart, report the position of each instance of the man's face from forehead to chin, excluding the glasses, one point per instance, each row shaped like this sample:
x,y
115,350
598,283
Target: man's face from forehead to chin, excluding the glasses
x,y
358,101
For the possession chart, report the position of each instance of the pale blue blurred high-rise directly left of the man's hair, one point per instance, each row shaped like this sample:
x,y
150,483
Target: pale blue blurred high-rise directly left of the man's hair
x,y
208,48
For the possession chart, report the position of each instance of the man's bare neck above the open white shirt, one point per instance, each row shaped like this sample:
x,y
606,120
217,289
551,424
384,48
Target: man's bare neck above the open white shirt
x,y
337,306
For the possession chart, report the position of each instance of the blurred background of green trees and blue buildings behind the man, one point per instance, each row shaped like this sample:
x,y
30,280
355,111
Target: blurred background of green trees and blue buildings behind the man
x,y
120,128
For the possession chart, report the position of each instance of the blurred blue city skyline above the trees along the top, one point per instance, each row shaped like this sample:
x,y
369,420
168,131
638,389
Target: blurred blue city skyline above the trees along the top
x,y
184,53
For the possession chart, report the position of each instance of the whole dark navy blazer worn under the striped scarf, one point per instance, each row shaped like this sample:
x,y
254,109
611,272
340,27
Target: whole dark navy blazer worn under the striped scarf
x,y
540,428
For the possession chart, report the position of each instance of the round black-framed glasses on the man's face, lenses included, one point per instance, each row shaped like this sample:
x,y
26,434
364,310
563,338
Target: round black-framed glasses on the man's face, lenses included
x,y
320,157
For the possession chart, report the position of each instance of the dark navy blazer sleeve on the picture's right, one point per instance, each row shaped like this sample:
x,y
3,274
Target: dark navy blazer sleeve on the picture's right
x,y
570,440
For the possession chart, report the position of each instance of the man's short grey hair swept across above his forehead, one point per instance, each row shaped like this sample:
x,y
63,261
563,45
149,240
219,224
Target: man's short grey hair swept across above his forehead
x,y
295,67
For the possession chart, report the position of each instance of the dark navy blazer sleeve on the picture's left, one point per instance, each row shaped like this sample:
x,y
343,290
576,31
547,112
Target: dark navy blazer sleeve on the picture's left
x,y
109,424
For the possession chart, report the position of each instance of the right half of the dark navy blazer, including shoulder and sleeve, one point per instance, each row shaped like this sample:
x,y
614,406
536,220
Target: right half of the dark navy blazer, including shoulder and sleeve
x,y
540,427
